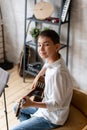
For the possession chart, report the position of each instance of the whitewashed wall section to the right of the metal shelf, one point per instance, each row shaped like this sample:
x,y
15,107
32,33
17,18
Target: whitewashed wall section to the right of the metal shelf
x,y
78,59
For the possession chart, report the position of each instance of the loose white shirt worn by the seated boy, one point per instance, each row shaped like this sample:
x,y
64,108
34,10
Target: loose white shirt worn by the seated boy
x,y
57,93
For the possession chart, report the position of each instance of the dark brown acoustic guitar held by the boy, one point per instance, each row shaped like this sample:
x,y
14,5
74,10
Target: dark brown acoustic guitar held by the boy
x,y
37,94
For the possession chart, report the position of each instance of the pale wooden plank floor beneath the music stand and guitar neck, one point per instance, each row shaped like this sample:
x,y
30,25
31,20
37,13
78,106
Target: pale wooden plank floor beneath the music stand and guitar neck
x,y
17,89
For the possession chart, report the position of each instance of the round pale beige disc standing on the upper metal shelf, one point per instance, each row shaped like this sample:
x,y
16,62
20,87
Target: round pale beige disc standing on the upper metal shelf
x,y
43,10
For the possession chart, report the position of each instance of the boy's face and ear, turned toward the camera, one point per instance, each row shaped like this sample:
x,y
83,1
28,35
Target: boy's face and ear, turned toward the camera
x,y
46,48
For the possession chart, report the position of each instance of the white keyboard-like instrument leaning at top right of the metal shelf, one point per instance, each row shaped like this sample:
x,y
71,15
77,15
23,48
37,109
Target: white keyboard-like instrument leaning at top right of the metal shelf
x,y
65,9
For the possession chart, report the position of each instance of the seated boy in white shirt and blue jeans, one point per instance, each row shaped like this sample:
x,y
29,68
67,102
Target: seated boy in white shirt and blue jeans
x,y
53,111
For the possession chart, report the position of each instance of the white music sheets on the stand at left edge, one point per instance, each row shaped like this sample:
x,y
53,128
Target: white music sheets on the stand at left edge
x,y
4,76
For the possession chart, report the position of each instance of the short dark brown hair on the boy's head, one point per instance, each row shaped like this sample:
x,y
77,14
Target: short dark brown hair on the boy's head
x,y
53,35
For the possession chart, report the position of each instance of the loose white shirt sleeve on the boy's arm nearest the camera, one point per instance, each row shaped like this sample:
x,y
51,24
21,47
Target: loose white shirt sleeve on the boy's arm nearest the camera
x,y
61,92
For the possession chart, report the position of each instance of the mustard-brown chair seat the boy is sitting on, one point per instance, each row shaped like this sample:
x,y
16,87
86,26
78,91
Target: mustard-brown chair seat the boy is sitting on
x,y
76,120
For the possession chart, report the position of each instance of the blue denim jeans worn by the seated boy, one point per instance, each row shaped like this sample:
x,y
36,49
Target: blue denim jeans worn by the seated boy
x,y
32,123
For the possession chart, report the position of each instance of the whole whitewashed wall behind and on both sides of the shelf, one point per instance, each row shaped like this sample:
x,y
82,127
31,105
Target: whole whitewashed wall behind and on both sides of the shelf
x,y
13,17
